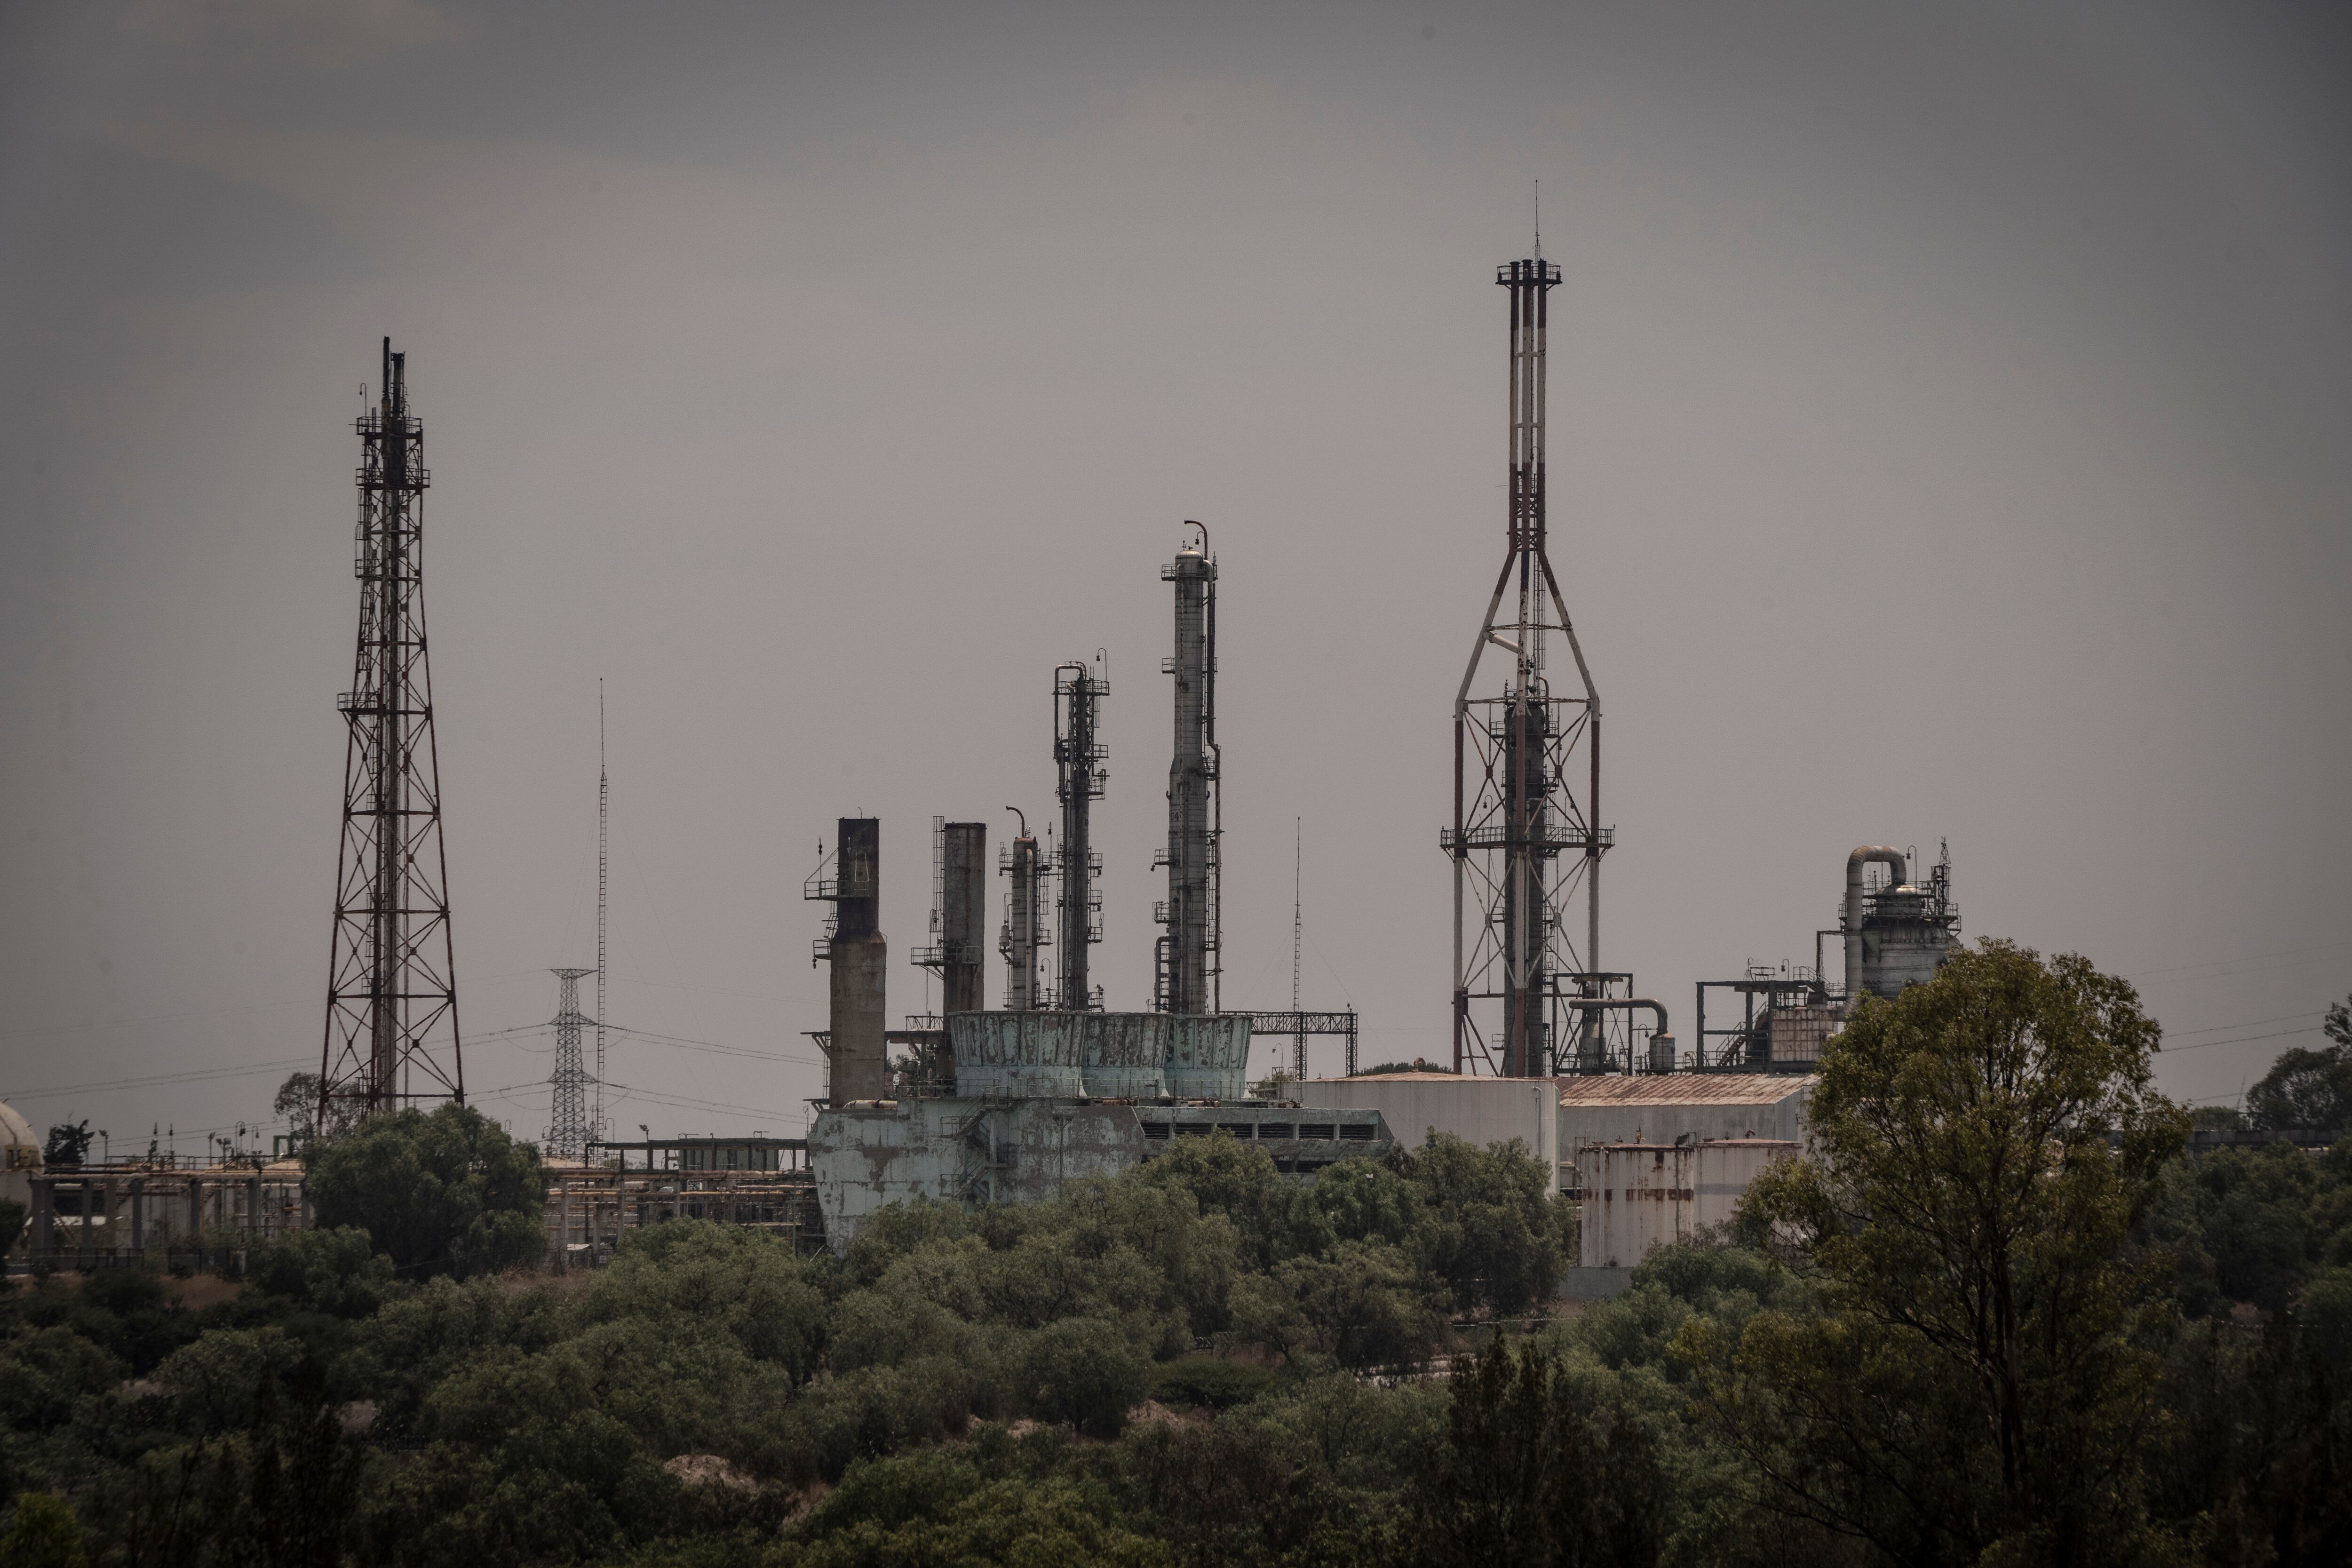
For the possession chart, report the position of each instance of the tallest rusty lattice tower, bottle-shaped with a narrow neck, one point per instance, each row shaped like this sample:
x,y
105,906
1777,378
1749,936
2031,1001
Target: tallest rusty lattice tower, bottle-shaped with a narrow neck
x,y
1528,770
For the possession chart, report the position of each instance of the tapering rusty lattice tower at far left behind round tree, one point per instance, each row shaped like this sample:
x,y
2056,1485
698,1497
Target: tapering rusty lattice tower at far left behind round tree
x,y
392,979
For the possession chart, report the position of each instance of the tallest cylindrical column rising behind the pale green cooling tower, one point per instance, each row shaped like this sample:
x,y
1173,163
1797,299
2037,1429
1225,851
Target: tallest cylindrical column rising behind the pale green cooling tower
x,y
1189,970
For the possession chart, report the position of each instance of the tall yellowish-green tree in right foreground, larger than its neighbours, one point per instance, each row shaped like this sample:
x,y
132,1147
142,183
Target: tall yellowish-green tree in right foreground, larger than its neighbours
x,y
1984,1369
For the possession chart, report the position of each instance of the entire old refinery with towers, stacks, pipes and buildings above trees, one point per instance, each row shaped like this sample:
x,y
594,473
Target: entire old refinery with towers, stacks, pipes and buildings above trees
x,y
1005,1101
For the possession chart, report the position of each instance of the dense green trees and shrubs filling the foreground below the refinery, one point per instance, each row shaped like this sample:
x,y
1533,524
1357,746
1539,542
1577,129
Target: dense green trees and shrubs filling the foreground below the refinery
x,y
1996,1315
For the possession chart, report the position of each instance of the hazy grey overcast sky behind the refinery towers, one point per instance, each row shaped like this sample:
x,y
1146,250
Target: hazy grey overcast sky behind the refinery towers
x,y
1949,441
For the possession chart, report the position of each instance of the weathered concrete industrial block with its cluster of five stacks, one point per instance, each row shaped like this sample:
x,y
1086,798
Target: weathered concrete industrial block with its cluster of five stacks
x,y
1010,1106
